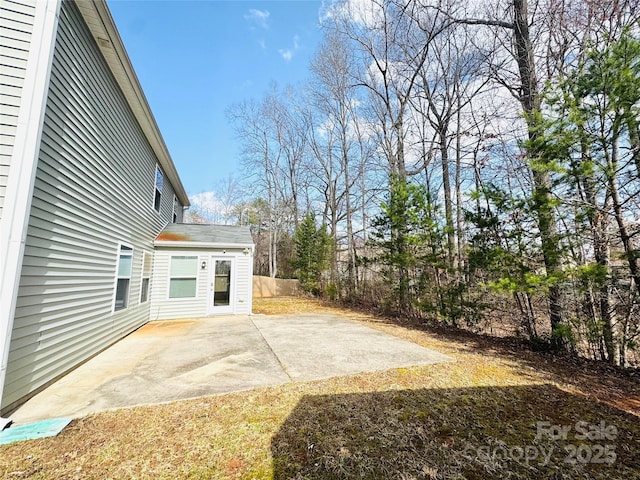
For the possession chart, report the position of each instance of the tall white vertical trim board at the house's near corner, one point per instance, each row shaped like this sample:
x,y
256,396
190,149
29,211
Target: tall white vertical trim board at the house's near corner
x,y
23,166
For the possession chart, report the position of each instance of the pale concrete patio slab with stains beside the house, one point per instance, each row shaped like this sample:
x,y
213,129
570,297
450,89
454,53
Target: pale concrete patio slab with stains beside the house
x,y
166,361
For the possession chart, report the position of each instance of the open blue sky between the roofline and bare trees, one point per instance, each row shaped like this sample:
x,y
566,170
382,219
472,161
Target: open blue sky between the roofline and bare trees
x,y
196,58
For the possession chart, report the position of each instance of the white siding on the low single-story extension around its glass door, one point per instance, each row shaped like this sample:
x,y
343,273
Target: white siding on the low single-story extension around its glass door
x,y
165,308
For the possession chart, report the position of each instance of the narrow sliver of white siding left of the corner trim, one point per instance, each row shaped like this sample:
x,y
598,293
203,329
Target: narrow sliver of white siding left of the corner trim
x,y
16,24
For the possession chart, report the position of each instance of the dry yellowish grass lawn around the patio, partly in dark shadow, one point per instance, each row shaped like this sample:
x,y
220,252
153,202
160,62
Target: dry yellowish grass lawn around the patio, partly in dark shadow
x,y
489,414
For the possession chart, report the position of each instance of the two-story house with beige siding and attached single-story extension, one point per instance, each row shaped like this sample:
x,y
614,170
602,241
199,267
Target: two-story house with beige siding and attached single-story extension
x,y
91,204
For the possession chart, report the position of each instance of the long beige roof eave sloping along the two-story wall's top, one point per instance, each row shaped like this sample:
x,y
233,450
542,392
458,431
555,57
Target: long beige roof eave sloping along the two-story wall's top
x,y
100,22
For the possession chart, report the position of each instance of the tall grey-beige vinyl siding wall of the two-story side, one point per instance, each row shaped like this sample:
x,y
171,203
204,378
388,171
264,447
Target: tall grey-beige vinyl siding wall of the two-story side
x,y
94,188
